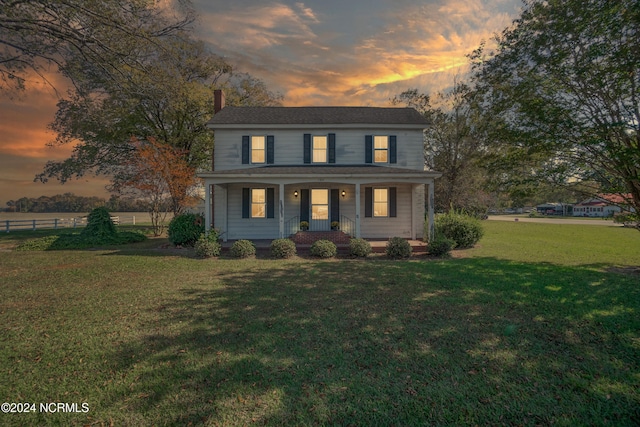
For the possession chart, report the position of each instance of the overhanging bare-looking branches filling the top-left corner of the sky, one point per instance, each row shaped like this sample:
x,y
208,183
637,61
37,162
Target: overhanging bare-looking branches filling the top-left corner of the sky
x,y
36,34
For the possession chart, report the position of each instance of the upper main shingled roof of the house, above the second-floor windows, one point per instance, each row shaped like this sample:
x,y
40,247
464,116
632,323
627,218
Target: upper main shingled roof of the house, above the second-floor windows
x,y
316,116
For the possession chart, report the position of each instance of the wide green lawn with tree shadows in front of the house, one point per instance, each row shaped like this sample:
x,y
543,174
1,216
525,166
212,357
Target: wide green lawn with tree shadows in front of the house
x,y
538,325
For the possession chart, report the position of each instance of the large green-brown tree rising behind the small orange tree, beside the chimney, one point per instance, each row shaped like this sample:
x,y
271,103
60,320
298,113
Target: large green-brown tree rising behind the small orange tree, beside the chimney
x,y
171,100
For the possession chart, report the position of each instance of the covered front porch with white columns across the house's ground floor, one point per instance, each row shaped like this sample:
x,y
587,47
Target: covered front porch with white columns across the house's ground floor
x,y
276,202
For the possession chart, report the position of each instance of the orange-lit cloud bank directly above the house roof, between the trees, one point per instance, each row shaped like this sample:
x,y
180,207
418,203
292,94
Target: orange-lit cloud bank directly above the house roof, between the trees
x,y
314,63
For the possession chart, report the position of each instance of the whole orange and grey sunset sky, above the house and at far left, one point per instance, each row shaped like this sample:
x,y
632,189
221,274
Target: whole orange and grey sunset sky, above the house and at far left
x,y
316,52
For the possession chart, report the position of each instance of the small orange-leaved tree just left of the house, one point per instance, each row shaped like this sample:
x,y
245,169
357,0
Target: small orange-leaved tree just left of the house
x,y
161,176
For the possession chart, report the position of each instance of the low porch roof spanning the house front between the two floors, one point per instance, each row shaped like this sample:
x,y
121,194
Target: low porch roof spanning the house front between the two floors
x,y
343,173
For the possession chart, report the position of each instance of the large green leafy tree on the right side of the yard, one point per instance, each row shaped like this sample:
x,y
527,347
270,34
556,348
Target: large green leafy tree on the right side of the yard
x,y
560,95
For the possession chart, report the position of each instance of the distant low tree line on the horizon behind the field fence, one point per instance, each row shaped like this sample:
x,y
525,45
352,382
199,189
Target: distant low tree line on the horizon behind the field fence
x,y
69,202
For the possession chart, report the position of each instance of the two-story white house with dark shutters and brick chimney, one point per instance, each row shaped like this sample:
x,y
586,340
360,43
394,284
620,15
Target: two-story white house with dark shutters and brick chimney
x,y
277,170
